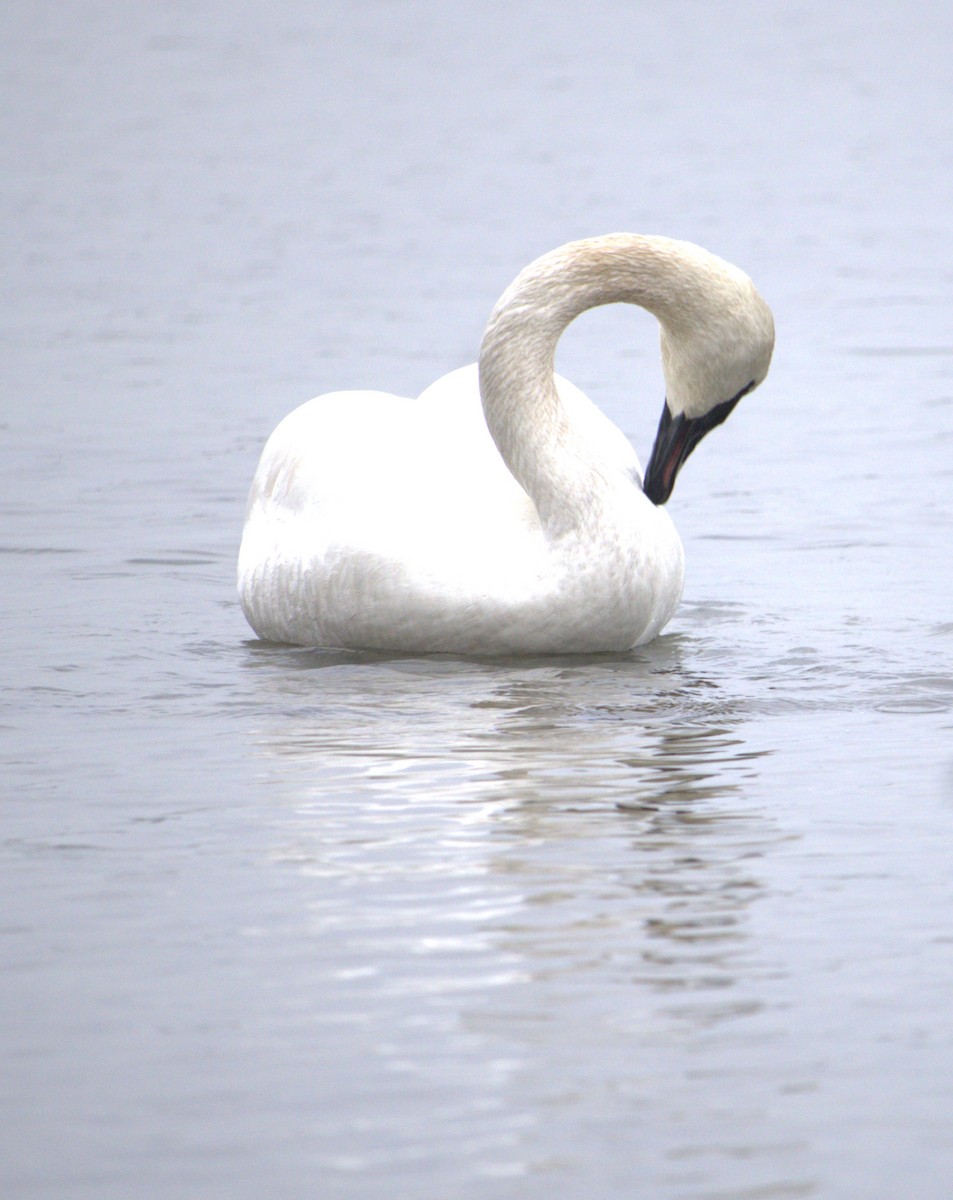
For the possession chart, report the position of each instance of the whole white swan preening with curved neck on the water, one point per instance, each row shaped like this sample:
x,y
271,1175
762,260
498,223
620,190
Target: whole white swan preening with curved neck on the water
x,y
501,512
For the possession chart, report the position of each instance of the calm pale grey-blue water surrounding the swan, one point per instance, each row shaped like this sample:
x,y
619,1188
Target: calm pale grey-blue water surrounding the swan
x,y
674,925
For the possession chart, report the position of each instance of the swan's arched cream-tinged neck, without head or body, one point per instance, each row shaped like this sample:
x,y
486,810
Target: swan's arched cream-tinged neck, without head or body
x,y
559,470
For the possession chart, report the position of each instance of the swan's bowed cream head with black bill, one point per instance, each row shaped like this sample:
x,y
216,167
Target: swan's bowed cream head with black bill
x,y
716,347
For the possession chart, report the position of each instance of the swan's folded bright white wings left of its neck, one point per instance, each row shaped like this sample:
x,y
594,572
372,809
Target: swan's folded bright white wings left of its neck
x,y
409,481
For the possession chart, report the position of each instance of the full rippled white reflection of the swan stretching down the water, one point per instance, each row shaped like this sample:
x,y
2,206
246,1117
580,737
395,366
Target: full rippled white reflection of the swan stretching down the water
x,y
526,881
